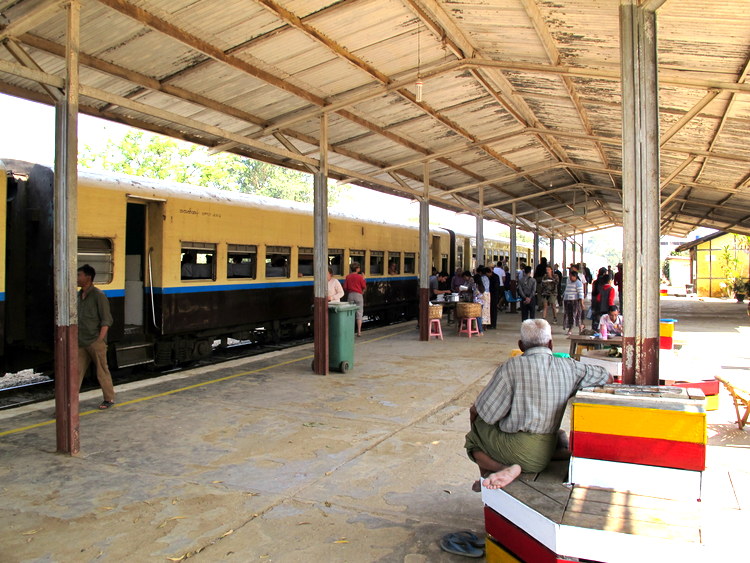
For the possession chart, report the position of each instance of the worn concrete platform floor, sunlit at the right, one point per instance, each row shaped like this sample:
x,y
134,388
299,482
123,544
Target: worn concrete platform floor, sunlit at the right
x,y
260,460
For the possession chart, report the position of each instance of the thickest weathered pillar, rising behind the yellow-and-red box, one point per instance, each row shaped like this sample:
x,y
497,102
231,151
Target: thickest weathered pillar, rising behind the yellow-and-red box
x,y
641,197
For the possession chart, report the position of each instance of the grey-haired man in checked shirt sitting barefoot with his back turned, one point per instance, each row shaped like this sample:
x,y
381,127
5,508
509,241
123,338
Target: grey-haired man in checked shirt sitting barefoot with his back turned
x,y
516,418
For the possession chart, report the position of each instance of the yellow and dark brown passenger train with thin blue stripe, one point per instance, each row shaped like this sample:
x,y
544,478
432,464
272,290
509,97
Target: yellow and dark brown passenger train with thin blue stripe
x,y
184,266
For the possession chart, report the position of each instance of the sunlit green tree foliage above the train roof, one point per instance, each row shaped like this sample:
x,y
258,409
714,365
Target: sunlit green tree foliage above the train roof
x,y
154,156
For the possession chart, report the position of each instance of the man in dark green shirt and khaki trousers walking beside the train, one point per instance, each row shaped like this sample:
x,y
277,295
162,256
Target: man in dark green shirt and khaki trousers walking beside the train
x,y
94,320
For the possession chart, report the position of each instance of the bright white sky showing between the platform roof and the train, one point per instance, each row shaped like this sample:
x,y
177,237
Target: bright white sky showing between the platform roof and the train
x,y
29,135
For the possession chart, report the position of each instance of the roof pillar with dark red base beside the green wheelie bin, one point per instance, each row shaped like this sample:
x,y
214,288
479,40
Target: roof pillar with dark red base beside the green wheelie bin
x,y
320,254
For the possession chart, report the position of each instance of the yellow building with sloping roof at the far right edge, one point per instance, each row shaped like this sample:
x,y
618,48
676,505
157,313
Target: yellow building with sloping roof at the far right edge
x,y
707,265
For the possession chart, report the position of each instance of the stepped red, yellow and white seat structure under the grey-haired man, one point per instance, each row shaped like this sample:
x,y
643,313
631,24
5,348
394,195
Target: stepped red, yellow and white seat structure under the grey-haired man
x,y
632,490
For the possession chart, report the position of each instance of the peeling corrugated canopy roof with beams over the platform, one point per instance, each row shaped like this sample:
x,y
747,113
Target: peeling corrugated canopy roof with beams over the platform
x,y
498,116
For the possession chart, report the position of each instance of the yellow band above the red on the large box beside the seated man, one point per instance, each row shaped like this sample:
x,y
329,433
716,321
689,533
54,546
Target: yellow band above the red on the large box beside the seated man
x,y
640,423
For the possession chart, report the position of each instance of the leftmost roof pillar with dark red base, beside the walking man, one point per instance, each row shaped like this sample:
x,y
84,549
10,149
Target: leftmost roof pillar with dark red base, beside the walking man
x,y
66,245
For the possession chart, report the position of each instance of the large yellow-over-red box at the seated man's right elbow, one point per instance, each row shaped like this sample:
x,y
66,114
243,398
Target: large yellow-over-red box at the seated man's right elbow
x,y
662,429
